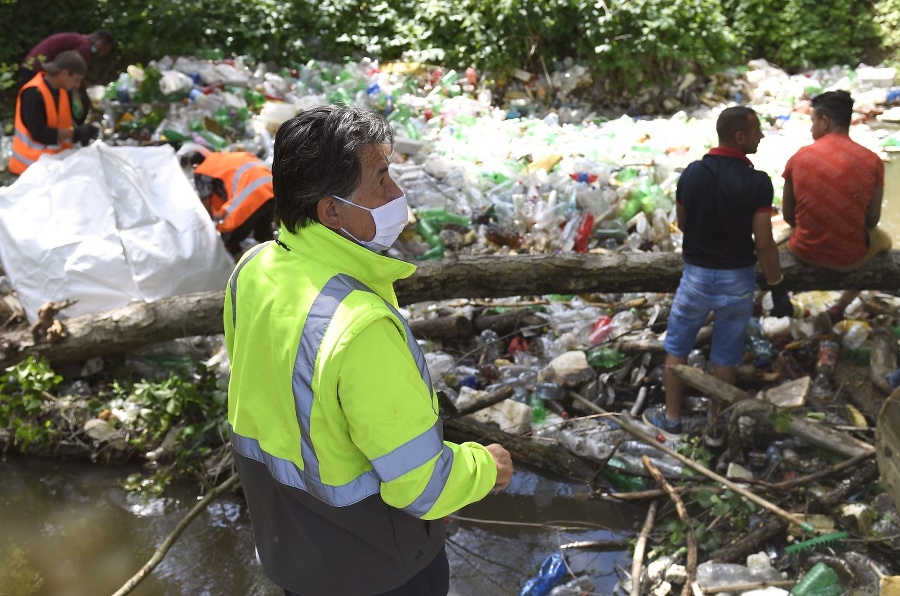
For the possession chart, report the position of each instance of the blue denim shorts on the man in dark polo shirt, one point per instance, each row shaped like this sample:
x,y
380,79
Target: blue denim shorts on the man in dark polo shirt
x,y
726,292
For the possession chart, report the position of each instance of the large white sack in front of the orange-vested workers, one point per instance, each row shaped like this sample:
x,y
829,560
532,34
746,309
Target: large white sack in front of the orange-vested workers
x,y
107,226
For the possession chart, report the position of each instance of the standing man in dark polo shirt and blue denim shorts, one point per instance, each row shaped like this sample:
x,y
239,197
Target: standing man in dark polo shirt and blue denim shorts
x,y
724,209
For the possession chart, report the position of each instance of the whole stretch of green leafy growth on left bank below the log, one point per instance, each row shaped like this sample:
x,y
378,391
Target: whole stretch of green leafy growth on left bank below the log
x,y
182,418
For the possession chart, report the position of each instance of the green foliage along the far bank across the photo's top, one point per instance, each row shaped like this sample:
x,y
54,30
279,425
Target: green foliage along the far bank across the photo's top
x,y
626,45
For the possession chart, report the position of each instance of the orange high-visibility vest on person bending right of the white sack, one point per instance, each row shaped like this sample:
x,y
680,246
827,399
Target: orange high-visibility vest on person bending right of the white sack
x,y
248,186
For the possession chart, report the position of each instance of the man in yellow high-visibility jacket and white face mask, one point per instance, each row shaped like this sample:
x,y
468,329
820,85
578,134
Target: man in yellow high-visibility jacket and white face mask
x,y
334,419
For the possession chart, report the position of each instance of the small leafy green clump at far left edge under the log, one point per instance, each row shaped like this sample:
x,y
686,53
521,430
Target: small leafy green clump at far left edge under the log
x,y
25,390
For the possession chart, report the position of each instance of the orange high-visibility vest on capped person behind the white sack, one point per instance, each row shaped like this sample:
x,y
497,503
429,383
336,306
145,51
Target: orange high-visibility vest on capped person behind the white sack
x,y
26,150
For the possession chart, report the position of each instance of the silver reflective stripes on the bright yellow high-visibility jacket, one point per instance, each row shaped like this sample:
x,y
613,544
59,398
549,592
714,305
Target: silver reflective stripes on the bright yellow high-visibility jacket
x,y
390,466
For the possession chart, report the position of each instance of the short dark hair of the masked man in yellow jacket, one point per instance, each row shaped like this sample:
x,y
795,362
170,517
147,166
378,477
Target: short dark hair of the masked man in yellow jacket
x,y
317,155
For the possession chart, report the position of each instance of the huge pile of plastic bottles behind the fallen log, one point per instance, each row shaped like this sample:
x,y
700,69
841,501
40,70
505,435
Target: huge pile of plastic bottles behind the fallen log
x,y
527,168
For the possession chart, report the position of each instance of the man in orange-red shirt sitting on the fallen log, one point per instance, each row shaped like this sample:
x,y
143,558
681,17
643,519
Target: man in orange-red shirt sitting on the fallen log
x,y
832,196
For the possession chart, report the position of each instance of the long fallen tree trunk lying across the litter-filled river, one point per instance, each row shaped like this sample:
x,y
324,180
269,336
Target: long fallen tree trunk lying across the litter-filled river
x,y
484,276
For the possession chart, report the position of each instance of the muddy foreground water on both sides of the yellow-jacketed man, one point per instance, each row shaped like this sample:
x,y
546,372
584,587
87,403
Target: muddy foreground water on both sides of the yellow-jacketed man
x,y
75,527
